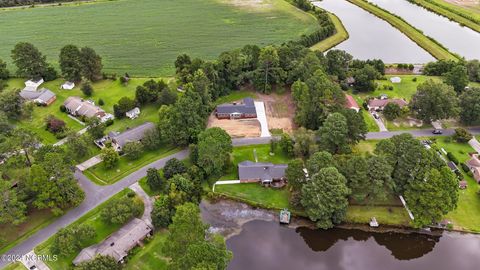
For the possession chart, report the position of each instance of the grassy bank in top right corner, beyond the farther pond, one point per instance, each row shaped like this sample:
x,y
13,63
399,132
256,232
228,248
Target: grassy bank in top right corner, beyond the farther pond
x,y
463,16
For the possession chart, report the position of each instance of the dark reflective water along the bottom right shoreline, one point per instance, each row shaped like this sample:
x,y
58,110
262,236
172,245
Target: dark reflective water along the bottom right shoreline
x,y
259,242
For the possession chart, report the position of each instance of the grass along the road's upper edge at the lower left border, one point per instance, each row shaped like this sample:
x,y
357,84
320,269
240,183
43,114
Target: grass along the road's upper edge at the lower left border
x,y
14,235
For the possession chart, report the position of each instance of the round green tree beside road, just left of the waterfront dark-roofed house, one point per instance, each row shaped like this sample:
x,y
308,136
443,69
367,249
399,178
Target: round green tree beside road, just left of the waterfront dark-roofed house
x,y
214,148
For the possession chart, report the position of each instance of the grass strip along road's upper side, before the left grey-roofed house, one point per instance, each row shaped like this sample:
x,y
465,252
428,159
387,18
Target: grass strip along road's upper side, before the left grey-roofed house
x,y
103,176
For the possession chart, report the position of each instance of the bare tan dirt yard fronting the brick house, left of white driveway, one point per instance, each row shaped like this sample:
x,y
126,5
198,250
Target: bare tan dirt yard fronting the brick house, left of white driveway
x,y
236,128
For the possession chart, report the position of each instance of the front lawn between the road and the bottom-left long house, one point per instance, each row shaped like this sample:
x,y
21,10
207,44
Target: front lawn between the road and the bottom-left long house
x,y
91,218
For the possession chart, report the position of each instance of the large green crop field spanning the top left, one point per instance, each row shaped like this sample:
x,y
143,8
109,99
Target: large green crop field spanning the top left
x,y
144,37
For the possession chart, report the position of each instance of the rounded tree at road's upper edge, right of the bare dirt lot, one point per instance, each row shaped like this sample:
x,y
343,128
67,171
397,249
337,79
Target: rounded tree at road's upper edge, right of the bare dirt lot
x,y
334,134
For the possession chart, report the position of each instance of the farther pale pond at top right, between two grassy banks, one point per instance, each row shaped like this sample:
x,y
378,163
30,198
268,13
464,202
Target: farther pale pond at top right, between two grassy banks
x,y
458,39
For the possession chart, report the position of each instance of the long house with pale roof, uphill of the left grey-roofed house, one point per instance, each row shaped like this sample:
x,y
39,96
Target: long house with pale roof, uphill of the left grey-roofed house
x,y
76,106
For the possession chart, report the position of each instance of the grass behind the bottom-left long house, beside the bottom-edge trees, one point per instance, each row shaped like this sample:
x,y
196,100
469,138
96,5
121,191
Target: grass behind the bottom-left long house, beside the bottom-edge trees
x,y
149,257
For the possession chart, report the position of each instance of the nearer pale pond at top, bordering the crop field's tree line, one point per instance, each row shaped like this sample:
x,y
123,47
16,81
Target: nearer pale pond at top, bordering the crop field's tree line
x,y
371,37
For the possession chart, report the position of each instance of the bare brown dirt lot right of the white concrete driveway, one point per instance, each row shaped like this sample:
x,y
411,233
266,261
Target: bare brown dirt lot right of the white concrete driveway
x,y
280,111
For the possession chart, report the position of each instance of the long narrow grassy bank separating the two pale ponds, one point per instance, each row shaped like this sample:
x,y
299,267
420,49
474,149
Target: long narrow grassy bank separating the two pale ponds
x,y
427,43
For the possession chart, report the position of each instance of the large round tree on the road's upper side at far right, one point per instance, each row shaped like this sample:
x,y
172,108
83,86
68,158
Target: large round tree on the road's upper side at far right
x,y
434,101
